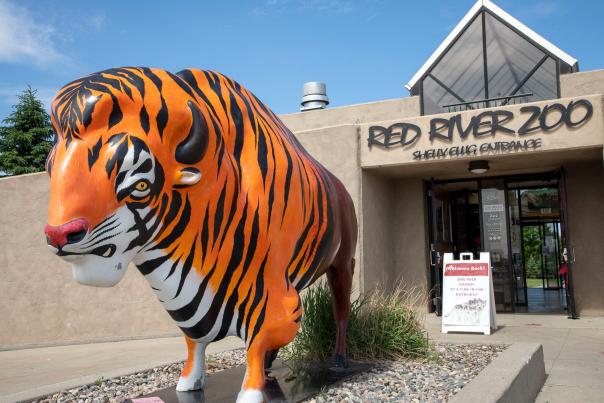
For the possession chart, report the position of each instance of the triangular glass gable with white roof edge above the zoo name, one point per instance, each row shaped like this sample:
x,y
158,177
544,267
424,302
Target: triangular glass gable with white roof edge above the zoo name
x,y
490,59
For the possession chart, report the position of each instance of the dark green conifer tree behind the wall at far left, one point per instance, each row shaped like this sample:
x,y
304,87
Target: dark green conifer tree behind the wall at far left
x,y
26,138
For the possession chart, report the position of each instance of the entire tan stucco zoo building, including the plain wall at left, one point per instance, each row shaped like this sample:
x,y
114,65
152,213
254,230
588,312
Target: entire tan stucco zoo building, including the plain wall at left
x,y
495,98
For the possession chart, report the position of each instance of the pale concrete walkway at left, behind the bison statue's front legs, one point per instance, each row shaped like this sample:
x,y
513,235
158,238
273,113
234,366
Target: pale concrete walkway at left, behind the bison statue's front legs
x,y
29,373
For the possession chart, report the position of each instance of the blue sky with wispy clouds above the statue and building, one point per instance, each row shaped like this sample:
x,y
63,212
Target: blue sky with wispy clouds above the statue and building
x,y
365,50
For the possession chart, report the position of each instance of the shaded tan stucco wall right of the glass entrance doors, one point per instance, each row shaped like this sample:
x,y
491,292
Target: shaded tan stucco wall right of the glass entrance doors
x,y
585,183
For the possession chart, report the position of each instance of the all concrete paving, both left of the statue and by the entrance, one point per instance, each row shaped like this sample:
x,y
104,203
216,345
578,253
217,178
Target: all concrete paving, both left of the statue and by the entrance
x,y
573,350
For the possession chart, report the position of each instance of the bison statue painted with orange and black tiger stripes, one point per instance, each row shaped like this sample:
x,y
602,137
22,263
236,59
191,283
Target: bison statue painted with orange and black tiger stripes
x,y
195,181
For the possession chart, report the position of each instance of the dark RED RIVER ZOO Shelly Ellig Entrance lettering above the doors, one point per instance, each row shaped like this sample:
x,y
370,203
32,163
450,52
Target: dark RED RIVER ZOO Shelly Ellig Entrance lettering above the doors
x,y
490,123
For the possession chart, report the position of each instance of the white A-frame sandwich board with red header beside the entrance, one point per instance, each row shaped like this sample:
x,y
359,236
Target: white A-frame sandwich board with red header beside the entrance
x,y
468,298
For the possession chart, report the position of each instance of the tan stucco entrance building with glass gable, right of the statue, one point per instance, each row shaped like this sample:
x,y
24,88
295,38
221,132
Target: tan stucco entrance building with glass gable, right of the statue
x,y
498,149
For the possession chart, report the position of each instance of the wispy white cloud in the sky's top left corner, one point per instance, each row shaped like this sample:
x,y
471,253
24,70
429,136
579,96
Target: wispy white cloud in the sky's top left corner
x,y
23,40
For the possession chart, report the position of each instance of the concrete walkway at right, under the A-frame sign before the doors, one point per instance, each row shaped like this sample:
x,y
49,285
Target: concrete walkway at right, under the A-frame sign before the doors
x,y
573,351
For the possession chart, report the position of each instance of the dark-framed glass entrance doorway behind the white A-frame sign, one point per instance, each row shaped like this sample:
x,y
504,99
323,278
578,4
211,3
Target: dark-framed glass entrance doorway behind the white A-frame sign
x,y
518,222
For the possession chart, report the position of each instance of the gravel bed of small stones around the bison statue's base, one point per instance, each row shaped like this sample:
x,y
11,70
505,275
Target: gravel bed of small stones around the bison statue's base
x,y
388,381
